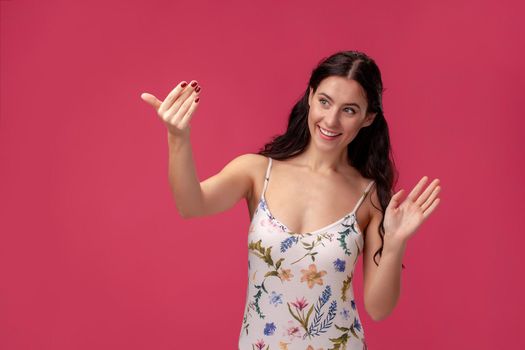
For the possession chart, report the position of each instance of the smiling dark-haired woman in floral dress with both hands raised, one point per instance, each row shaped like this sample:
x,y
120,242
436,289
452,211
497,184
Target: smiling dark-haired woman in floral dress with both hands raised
x,y
319,195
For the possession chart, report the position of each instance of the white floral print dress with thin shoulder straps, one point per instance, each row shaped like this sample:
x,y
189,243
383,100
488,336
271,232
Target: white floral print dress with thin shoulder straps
x,y
299,293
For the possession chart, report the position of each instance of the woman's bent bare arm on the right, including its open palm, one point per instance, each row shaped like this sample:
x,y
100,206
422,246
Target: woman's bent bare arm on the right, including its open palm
x,y
382,283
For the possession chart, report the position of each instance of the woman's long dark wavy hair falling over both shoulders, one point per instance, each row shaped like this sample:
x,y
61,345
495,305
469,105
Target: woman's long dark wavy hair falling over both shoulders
x,y
369,152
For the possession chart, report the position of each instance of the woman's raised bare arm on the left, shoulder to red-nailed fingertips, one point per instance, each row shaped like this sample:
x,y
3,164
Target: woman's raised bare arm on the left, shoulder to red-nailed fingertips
x,y
192,198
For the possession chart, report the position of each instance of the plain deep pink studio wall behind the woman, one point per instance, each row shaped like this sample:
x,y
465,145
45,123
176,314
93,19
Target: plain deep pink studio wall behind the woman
x,y
93,254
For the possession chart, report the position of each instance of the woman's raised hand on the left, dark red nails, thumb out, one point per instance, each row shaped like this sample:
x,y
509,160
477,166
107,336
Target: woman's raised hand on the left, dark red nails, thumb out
x,y
178,108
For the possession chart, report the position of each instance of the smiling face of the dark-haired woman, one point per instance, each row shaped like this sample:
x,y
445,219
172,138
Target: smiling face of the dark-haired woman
x,y
338,106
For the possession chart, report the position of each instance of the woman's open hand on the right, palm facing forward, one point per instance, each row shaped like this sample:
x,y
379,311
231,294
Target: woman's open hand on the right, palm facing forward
x,y
402,219
